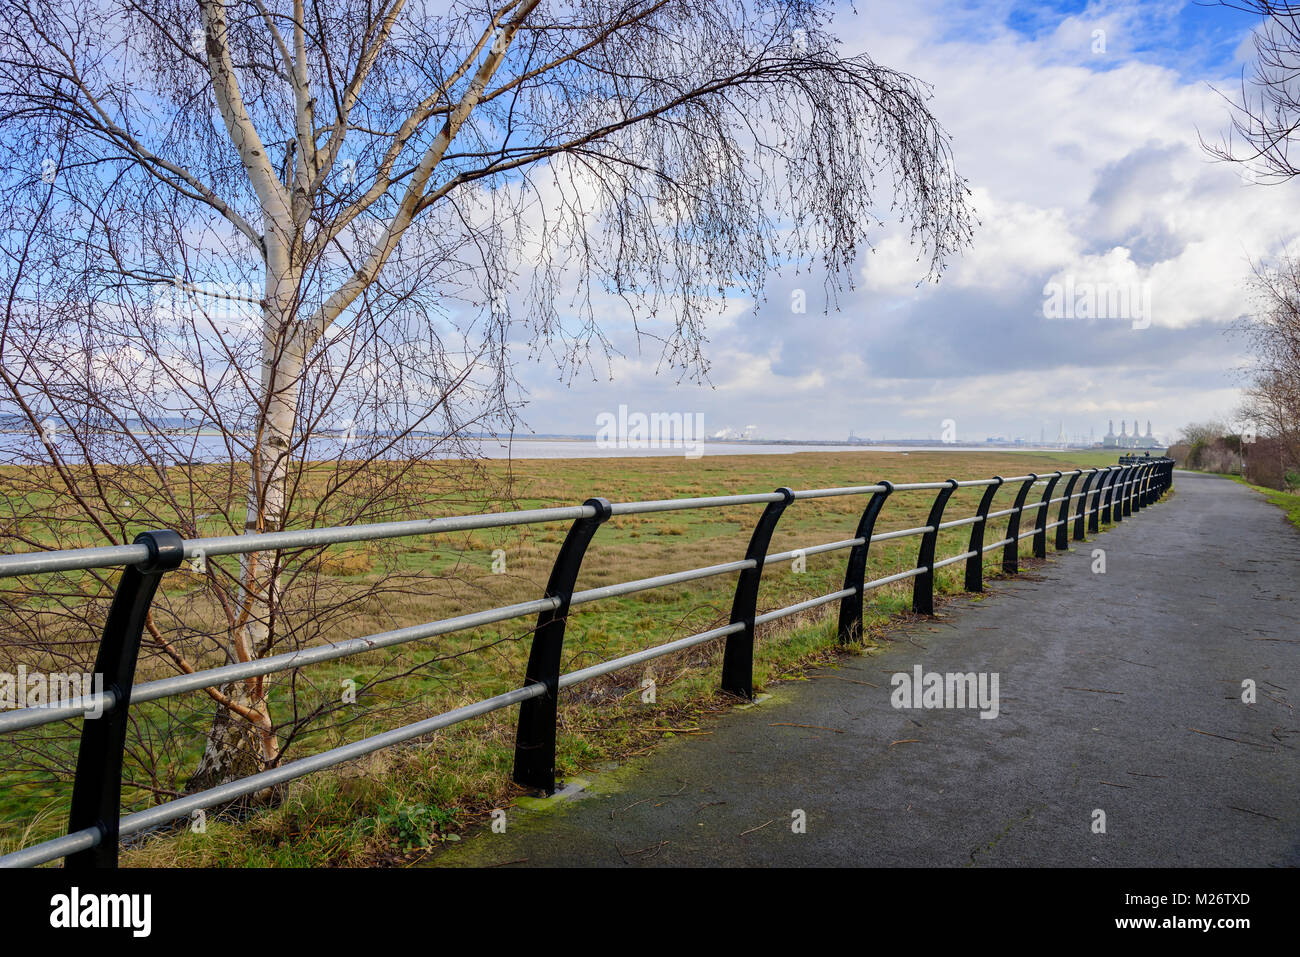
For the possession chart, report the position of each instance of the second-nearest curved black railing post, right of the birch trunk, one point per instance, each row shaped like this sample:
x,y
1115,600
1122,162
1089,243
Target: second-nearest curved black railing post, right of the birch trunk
x,y
535,742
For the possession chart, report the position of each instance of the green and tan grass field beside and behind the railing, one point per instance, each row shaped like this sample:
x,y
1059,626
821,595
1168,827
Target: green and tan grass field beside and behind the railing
x,y
391,808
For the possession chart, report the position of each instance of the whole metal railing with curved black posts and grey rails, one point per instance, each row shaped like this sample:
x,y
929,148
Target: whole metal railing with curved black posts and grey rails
x,y
96,825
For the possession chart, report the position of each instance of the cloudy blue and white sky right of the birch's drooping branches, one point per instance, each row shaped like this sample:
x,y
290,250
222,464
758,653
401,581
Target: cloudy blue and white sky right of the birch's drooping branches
x,y
1082,151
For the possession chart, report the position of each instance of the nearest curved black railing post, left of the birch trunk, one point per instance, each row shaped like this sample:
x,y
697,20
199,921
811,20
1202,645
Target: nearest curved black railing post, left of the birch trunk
x,y
98,787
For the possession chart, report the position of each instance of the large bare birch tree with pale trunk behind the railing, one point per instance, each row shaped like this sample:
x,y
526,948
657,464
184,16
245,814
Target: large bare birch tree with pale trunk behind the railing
x,y
391,194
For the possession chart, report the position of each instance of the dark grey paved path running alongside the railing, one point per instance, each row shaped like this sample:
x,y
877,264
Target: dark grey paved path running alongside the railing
x,y
1201,592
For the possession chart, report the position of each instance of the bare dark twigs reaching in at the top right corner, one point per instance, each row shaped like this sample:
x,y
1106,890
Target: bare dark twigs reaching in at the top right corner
x,y
1267,114
